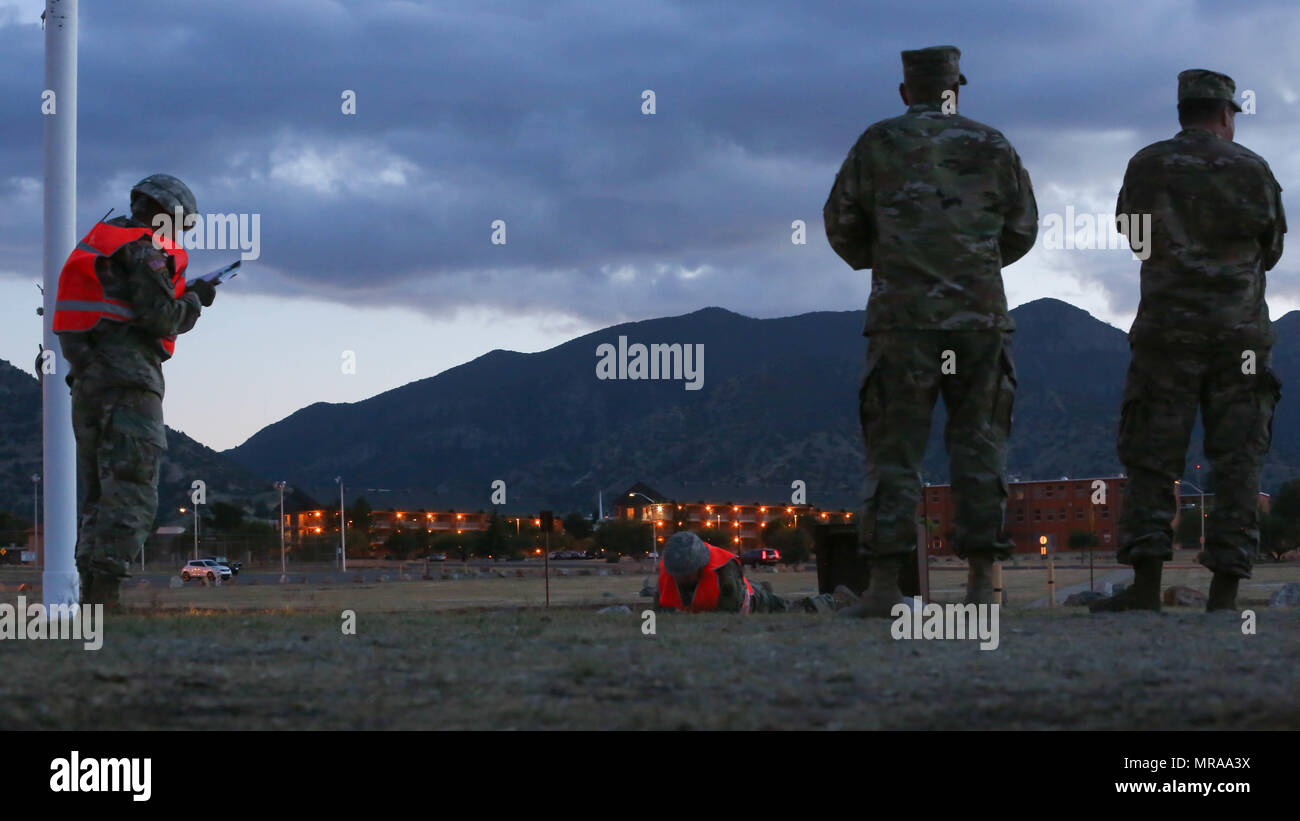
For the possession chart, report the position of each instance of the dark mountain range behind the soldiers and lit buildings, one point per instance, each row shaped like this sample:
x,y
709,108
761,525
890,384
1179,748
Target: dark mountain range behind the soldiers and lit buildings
x,y
777,405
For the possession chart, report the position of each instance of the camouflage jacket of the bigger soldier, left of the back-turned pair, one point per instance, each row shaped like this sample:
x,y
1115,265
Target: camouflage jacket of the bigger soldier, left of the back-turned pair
x,y
935,206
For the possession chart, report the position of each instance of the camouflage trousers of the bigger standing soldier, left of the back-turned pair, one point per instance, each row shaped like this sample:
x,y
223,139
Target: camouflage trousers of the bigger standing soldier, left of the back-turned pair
x,y
907,373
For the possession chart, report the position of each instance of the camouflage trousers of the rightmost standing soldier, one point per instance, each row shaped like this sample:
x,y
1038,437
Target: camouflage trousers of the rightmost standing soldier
x,y
1164,390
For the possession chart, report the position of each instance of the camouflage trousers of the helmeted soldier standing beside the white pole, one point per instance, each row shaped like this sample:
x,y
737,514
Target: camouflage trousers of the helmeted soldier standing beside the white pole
x,y
120,442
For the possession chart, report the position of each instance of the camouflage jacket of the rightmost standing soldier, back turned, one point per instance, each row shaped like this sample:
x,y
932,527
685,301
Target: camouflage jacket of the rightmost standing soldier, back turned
x,y
1217,225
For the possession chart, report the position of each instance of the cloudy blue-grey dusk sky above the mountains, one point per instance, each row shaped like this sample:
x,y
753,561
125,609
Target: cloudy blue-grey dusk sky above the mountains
x,y
376,228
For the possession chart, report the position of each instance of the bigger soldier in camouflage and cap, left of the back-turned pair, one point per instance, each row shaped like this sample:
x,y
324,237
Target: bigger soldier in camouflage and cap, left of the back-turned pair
x,y
935,205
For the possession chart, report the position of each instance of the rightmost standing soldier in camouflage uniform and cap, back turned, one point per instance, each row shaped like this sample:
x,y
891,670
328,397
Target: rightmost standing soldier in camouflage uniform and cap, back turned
x,y
1202,340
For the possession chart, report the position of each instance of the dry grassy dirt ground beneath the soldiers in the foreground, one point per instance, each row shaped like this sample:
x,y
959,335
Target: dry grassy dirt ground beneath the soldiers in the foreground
x,y
480,654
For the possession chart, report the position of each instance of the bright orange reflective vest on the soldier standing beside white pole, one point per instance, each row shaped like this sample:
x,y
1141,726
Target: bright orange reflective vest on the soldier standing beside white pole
x,y
84,302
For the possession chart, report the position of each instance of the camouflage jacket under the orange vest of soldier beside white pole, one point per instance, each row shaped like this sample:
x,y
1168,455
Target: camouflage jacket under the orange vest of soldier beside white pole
x,y
128,354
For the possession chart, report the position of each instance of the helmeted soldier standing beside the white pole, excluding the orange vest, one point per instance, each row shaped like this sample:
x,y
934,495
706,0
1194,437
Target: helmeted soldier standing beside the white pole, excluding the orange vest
x,y
116,380
